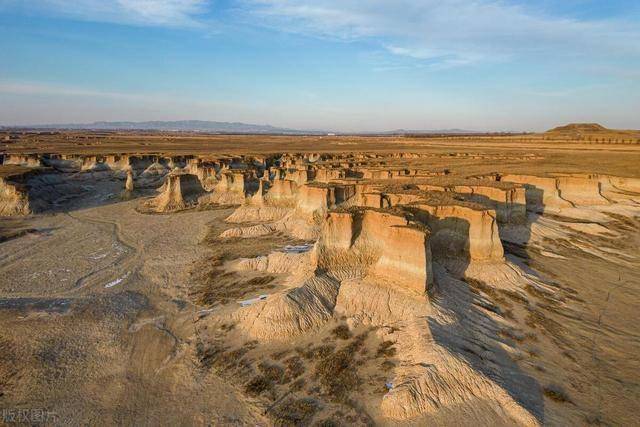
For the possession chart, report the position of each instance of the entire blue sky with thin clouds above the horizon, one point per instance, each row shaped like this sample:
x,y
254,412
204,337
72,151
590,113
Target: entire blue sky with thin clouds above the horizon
x,y
347,65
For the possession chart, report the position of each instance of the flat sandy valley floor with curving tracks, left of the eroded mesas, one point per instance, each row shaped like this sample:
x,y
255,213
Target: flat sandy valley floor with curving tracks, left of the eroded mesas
x,y
96,325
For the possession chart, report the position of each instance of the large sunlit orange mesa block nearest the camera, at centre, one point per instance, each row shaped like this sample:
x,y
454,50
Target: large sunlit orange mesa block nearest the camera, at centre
x,y
379,243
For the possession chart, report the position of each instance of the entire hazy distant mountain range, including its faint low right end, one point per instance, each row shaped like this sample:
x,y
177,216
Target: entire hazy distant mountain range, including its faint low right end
x,y
215,127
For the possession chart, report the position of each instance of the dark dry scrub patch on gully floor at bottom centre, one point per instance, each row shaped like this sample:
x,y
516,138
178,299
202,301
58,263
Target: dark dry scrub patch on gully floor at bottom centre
x,y
305,381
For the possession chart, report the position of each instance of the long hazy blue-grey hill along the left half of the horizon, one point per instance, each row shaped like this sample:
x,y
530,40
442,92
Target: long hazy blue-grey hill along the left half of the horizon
x,y
176,126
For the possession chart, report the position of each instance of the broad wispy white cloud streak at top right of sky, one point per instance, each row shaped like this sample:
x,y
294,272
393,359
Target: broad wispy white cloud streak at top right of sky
x,y
453,32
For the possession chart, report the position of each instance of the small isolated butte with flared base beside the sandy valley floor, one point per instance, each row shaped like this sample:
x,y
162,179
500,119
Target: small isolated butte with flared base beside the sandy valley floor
x,y
179,191
